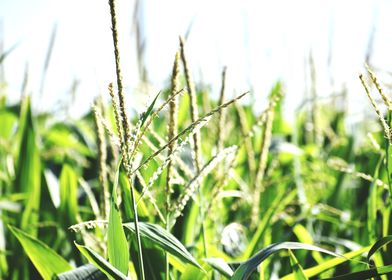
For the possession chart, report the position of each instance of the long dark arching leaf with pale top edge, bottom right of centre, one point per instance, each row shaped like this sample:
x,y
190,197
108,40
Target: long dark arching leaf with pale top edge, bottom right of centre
x,y
246,268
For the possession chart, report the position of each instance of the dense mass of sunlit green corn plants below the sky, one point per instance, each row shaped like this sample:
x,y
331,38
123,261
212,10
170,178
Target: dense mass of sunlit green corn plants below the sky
x,y
319,186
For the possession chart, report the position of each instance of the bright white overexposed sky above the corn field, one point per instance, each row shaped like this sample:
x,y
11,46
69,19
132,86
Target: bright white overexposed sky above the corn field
x,y
260,42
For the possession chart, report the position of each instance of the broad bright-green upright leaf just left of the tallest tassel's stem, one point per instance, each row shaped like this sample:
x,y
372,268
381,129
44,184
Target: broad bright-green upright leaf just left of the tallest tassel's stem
x,y
118,250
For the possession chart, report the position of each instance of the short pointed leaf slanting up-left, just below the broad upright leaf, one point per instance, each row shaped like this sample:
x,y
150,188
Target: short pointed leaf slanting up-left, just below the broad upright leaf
x,y
103,265
